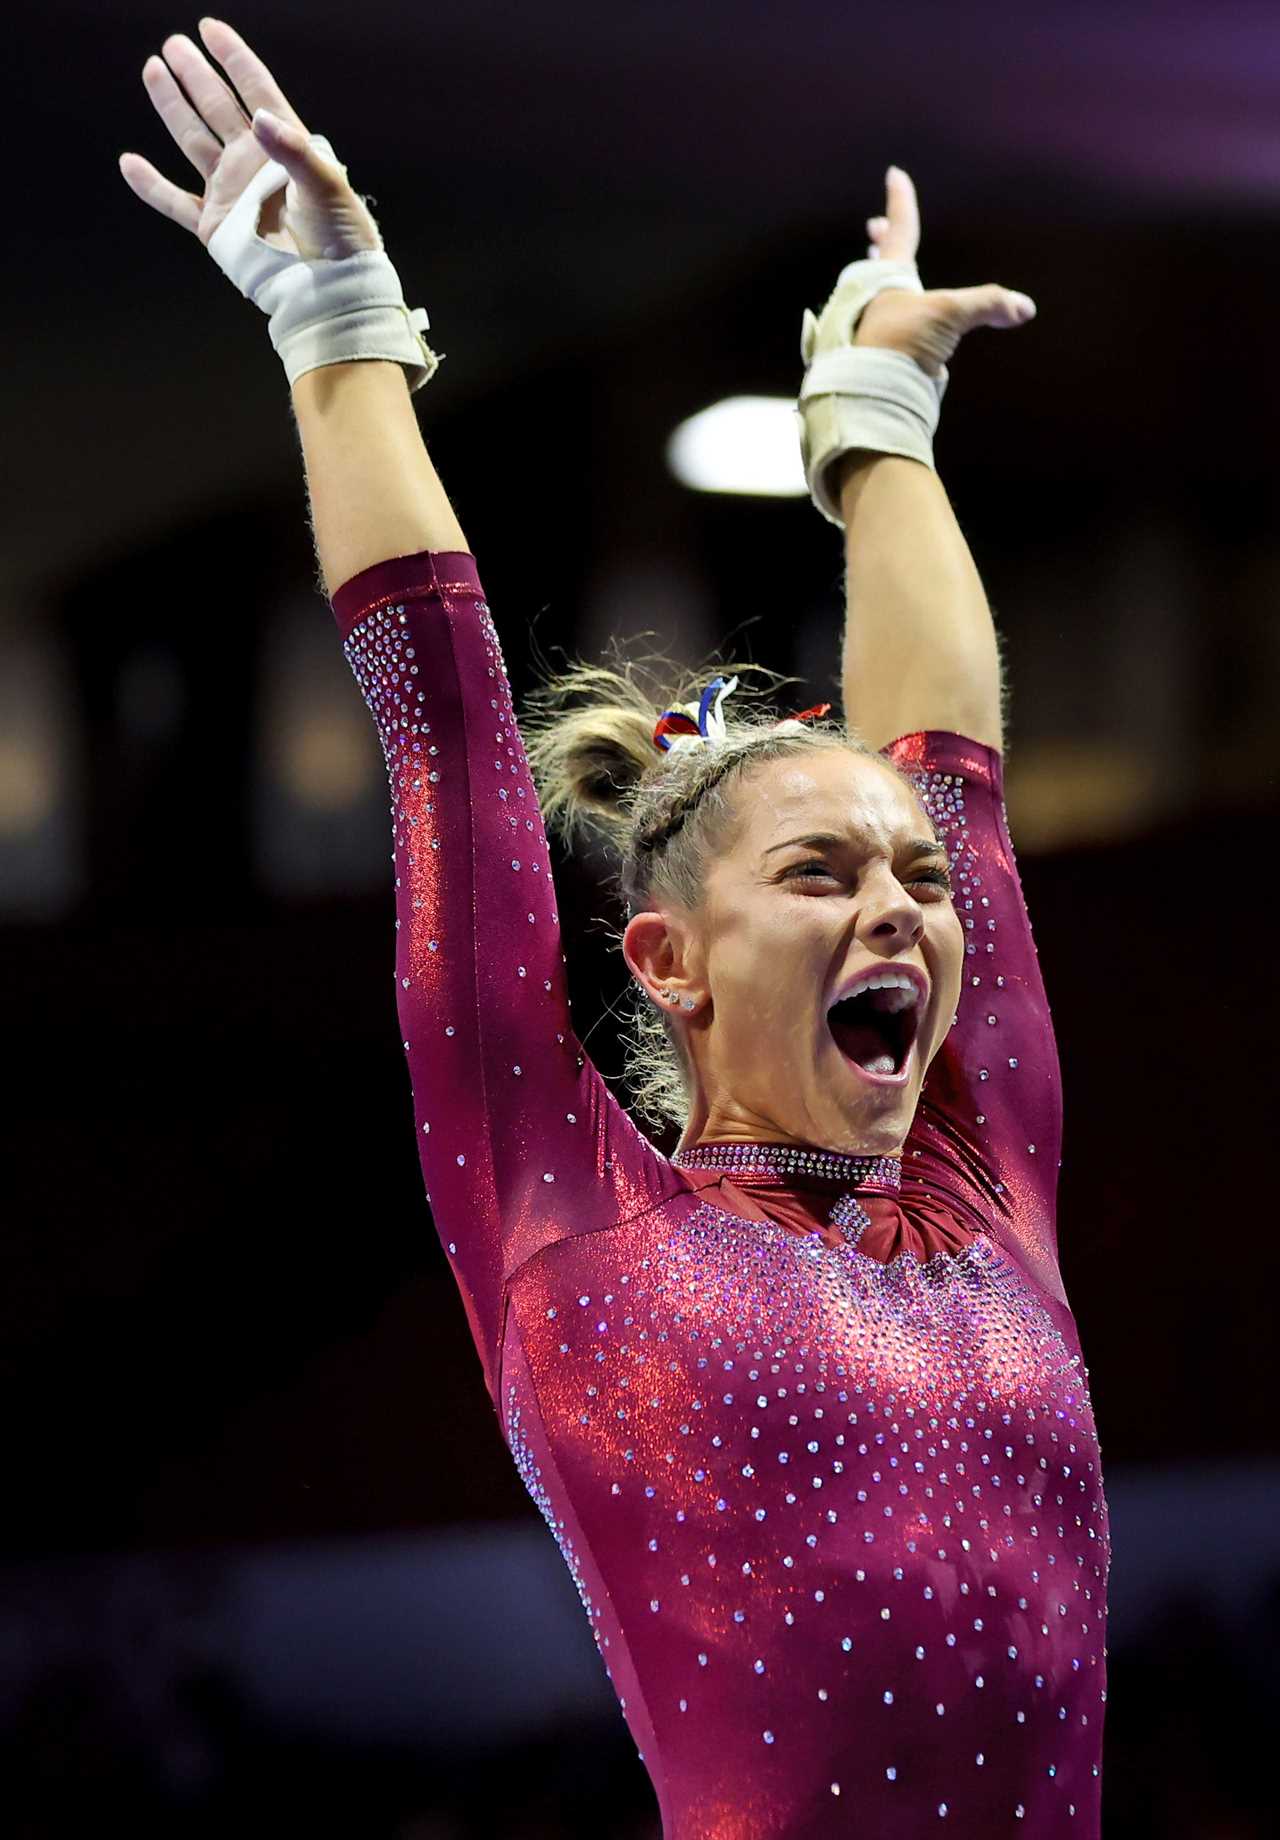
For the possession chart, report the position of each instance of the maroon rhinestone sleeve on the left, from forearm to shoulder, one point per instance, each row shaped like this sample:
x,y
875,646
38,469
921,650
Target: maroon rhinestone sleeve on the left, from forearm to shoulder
x,y
520,1140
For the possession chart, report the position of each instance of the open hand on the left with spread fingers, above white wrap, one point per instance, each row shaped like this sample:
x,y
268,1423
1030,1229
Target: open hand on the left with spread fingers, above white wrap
x,y
315,216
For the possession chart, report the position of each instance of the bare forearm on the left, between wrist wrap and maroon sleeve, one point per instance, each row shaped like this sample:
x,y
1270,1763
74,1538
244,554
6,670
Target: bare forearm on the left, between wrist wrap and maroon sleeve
x,y
374,492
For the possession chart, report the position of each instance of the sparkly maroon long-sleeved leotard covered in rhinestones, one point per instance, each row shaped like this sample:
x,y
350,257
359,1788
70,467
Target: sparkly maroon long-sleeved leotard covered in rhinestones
x,y
814,1434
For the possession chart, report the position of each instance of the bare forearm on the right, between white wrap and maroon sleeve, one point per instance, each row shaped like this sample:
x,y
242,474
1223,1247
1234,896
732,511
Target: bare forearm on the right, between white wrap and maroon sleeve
x,y
920,647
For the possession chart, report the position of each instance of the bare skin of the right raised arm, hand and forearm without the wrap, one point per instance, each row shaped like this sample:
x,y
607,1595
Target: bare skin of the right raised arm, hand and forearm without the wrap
x,y
920,645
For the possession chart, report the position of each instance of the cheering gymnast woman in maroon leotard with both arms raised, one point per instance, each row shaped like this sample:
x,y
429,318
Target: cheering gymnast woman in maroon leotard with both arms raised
x,y
803,1405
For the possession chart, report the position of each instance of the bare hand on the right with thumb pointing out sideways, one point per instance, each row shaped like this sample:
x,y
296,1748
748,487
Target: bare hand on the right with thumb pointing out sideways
x,y
926,327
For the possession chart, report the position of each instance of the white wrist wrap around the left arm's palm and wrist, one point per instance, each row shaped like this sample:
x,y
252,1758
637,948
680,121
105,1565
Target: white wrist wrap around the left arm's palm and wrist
x,y
323,312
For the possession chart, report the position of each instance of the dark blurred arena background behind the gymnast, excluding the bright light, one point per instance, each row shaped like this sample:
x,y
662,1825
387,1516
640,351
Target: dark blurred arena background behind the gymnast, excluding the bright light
x,y
271,1569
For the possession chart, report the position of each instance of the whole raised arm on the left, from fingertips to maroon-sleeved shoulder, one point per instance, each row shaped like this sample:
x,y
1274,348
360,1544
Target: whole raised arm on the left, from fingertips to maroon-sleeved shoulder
x,y
520,1140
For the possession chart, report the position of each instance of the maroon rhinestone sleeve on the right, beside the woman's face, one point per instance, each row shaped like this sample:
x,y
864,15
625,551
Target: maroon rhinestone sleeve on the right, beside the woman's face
x,y
989,1127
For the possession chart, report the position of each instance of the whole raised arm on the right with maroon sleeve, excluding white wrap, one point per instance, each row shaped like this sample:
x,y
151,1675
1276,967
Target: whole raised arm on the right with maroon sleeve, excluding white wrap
x,y
922,682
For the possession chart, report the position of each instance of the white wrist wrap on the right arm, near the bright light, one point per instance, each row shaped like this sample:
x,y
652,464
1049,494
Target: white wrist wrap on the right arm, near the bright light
x,y
862,397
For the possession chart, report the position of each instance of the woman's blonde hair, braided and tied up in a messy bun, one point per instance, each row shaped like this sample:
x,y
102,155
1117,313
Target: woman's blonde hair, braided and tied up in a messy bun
x,y
665,816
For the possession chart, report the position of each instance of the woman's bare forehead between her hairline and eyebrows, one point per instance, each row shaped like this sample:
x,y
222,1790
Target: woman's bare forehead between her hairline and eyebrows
x,y
832,790
